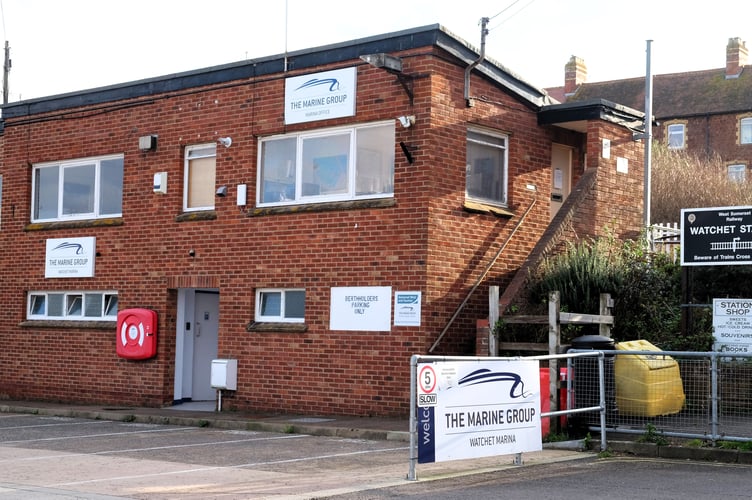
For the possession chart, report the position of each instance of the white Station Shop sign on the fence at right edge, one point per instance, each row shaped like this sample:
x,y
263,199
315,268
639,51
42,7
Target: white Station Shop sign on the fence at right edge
x,y
732,325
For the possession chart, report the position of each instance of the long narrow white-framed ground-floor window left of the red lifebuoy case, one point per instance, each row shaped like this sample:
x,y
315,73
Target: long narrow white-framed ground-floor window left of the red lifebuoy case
x,y
75,306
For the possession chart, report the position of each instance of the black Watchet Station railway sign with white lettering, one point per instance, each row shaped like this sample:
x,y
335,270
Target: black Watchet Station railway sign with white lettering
x,y
720,236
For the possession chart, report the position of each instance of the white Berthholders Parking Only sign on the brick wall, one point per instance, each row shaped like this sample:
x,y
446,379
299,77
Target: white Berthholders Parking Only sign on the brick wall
x,y
367,308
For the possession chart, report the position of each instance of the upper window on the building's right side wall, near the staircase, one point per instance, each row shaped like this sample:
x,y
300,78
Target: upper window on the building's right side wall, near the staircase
x,y
486,174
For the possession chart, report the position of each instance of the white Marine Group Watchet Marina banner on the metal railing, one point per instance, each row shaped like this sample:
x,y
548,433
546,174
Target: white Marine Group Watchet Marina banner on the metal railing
x,y
472,409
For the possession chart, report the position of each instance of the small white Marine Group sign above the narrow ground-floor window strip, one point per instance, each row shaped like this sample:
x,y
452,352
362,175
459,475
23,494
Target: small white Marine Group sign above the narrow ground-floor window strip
x,y
70,258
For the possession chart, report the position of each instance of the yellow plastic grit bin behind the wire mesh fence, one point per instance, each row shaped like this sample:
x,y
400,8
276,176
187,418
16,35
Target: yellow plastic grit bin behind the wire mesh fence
x,y
646,385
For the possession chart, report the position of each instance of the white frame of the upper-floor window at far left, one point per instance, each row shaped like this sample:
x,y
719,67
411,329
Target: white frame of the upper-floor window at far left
x,y
96,210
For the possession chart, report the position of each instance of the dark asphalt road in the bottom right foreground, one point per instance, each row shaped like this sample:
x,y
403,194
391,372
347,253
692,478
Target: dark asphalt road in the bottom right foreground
x,y
592,479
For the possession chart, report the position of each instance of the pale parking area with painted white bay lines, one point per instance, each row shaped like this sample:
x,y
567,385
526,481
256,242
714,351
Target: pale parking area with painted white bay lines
x,y
45,458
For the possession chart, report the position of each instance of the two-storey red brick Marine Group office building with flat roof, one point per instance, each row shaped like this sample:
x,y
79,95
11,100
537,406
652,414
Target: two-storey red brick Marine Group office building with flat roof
x,y
318,217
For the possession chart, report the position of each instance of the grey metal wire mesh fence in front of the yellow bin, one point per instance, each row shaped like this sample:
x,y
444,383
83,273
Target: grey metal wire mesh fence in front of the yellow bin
x,y
683,394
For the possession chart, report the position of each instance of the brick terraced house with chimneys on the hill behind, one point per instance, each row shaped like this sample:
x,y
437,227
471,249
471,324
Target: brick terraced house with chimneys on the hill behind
x,y
706,112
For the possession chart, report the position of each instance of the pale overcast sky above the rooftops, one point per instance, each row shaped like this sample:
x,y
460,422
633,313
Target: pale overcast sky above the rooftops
x,y
60,46
